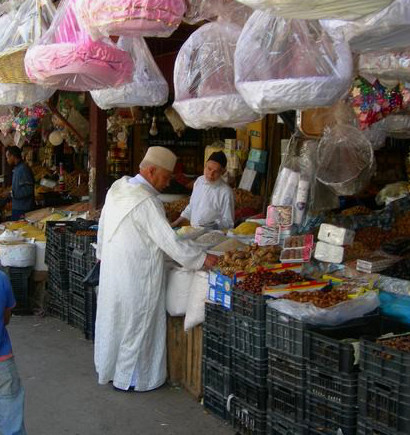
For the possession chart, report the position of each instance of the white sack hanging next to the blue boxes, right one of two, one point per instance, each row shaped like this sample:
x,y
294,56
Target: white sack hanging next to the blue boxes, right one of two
x,y
195,313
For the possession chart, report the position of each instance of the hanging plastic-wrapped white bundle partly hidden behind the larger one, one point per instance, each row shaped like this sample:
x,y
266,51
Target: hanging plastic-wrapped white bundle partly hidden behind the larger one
x,y
205,94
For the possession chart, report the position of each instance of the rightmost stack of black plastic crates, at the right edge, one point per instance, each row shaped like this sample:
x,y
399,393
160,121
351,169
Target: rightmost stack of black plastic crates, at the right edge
x,y
384,388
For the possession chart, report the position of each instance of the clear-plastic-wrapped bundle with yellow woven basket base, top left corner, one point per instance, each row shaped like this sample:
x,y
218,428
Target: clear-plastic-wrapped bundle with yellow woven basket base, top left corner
x,y
27,25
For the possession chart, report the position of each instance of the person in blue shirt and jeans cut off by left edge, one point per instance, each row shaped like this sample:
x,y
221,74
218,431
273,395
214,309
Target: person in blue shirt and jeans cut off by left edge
x,y
11,390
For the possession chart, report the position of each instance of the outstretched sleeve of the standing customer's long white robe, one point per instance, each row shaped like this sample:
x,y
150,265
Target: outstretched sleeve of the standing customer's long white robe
x,y
159,230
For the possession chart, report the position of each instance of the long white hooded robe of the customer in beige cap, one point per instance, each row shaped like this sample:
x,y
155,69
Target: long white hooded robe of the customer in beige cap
x,y
130,333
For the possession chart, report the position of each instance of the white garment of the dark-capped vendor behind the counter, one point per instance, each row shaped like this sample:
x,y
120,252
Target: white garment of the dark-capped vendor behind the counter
x,y
211,203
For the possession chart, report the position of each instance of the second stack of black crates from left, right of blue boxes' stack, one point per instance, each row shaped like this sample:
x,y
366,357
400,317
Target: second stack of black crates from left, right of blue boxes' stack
x,y
249,363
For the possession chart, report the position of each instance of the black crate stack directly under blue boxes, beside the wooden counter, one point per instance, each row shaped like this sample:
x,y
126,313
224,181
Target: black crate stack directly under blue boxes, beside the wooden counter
x,y
216,366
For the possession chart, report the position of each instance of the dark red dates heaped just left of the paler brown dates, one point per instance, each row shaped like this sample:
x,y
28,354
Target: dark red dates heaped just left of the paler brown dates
x,y
255,282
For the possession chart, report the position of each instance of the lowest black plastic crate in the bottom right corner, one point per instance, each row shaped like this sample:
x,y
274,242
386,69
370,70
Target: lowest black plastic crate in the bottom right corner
x,y
385,403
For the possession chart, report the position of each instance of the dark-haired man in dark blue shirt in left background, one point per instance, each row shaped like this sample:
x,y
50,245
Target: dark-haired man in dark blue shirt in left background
x,y
22,184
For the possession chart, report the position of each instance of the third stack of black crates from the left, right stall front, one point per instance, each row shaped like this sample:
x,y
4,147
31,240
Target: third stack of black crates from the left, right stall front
x,y
286,375
